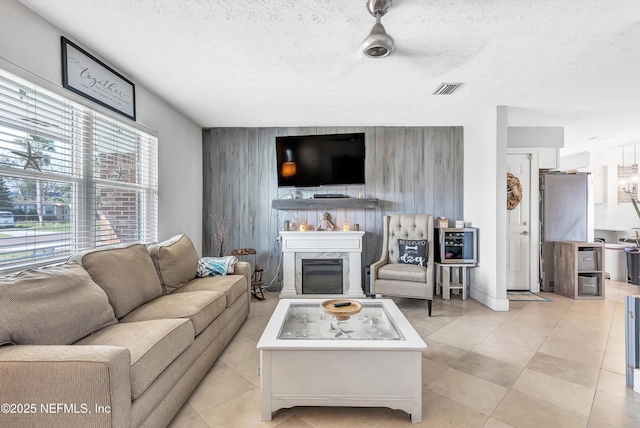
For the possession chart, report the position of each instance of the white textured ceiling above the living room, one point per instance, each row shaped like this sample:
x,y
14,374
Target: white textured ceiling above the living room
x,y
571,63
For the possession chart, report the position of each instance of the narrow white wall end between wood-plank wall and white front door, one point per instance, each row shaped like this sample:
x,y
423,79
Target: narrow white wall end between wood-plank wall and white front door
x,y
485,201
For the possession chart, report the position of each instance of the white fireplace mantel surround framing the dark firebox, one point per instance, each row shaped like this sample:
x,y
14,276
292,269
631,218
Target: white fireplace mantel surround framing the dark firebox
x,y
343,245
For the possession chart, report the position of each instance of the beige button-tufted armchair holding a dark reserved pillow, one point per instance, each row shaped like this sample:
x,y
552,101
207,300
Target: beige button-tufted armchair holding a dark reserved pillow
x,y
403,244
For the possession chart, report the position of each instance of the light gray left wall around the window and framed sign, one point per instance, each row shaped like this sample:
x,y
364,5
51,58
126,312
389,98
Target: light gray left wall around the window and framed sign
x,y
30,48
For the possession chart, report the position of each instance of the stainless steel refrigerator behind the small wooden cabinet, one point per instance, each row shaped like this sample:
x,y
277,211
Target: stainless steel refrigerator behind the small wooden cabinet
x,y
566,214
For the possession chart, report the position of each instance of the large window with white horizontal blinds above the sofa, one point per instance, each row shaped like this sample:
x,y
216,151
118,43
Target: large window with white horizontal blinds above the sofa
x,y
72,178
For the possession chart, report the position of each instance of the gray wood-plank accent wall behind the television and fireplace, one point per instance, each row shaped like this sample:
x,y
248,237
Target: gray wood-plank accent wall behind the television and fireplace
x,y
410,169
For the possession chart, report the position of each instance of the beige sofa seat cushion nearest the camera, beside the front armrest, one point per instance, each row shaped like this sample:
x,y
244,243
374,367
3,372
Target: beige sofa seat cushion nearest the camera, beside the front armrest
x,y
153,345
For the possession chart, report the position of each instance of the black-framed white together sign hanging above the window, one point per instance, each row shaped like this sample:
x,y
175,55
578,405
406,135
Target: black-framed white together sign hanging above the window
x,y
86,75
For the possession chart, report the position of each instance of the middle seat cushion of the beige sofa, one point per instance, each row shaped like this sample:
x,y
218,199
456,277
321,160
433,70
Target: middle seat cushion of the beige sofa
x,y
200,307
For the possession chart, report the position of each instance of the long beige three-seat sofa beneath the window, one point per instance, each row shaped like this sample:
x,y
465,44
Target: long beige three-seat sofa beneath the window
x,y
116,337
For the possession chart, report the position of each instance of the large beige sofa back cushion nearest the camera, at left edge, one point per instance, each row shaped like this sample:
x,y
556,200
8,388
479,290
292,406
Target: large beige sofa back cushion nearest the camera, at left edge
x,y
55,305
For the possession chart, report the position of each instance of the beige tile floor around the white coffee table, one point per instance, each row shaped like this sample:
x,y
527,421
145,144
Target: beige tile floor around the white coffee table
x,y
542,364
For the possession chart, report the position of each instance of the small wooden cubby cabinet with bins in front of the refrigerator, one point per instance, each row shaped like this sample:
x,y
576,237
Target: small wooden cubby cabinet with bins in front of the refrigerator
x,y
579,269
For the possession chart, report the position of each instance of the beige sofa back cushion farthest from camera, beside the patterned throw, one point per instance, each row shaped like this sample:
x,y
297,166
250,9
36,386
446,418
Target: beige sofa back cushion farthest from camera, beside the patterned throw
x,y
175,260
